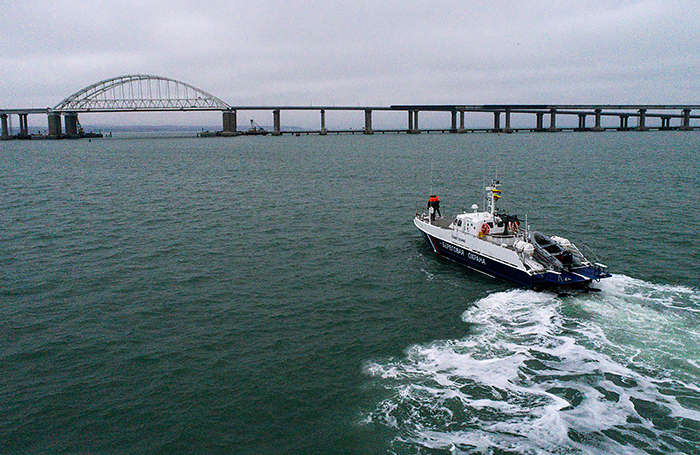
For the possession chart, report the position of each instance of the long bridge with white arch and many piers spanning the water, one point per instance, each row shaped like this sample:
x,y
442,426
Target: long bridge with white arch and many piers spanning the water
x,y
144,93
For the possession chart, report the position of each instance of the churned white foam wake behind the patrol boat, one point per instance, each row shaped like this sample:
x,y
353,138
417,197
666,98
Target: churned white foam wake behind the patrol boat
x,y
540,370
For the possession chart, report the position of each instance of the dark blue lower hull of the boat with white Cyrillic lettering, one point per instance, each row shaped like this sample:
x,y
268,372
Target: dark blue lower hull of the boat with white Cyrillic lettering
x,y
496,269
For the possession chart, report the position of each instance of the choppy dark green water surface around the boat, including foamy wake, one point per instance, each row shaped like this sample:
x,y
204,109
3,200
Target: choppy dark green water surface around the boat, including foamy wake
x,y
271,295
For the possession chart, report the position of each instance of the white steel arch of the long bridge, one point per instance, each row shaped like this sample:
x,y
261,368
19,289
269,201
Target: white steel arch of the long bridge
x,y
140,92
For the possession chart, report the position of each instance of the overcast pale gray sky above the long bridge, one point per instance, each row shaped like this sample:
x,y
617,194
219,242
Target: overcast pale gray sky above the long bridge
x,y
305,52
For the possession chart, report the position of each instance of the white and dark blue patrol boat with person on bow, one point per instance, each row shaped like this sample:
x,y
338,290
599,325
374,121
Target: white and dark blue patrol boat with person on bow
x,y
494,243
